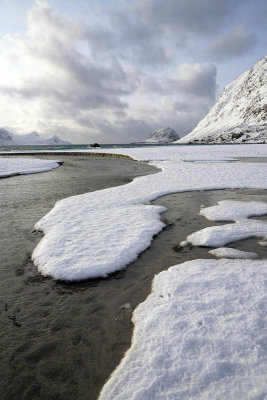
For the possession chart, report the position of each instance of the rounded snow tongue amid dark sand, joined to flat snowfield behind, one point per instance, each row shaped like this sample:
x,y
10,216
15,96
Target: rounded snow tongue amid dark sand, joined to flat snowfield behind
x,y
94,234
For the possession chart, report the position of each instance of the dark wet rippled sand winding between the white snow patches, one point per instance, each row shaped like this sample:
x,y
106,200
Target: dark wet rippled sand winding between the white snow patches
x,y
62,341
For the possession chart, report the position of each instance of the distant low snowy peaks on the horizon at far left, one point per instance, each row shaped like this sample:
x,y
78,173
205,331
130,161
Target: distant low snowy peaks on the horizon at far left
x,y
10,139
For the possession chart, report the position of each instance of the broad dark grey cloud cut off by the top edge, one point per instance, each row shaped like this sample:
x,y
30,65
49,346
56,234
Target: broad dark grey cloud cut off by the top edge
x,y
151,32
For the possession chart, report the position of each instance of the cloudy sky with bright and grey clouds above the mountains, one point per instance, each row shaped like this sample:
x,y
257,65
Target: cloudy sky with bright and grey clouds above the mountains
x,y
112,71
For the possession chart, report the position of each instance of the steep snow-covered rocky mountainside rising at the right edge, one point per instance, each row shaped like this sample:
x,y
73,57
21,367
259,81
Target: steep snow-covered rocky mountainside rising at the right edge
x,y
240,114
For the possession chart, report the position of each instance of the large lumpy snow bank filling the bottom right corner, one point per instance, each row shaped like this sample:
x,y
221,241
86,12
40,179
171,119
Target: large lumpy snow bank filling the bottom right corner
x,y
200,334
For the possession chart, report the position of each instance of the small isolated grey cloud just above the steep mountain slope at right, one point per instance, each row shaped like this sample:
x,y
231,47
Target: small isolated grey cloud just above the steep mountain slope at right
x,y
233,44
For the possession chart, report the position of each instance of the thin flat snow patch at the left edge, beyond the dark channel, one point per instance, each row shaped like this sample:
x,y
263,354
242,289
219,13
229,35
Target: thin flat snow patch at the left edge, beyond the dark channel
x,y
22,166
